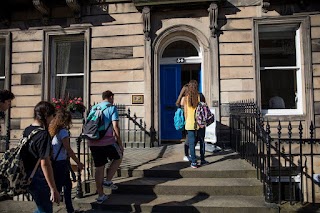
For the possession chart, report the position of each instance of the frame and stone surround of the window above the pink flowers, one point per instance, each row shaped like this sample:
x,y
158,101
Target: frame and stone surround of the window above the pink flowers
x,y
49,76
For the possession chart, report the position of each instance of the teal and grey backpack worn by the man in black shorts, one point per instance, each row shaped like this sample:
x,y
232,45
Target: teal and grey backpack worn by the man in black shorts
x,y
94,127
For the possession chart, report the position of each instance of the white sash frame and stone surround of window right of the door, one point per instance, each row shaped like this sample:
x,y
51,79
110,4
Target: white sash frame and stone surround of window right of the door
x,y
302,77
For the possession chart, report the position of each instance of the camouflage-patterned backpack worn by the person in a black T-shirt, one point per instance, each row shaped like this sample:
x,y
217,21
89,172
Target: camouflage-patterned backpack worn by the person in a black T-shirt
x,y
13,177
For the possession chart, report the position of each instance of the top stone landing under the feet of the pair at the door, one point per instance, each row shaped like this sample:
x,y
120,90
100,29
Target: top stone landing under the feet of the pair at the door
x,y
225,164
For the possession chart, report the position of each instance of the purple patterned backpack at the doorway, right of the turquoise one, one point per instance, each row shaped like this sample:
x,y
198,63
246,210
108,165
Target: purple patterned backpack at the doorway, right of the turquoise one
x,y
203,115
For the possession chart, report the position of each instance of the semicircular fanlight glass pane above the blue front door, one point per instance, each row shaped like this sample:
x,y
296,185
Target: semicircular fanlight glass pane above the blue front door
x,y
180,49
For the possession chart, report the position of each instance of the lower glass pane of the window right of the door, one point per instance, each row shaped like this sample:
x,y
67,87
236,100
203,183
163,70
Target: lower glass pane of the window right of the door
x,y
277,85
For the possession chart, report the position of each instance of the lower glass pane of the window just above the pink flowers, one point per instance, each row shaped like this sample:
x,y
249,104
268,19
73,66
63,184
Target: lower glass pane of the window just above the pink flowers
x,y
69,87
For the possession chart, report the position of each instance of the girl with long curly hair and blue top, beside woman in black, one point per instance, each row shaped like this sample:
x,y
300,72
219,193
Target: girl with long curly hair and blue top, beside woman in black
x,y
59,131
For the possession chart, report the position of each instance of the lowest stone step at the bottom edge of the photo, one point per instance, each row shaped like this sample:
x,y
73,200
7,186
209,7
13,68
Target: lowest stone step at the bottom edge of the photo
x,y
201,202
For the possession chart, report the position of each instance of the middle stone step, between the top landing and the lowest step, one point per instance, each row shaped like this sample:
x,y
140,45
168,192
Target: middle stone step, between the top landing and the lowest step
x,y
187,186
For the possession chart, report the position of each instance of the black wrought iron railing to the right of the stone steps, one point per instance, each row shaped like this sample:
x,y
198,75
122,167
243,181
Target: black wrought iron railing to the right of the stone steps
x,y
284,160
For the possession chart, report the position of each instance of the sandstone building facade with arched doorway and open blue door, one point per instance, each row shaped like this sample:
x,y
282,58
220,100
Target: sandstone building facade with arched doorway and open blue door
x,y
144,51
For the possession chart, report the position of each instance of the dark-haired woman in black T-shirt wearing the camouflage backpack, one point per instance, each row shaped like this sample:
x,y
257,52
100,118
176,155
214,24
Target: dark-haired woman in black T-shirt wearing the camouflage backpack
x,y
42,188
